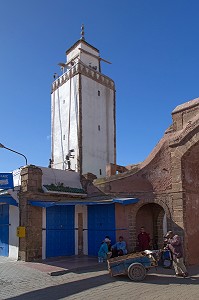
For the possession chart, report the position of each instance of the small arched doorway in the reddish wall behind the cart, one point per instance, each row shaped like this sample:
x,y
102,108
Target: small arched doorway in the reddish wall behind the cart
x,y
152,217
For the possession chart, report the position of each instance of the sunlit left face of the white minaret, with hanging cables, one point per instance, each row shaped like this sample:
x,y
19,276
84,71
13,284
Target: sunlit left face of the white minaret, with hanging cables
x,y
64,116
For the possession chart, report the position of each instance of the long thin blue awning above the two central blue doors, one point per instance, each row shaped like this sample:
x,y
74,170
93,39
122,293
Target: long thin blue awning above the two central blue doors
x,y
123,201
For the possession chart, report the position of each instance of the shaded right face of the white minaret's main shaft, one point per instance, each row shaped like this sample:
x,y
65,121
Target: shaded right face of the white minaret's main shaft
x,y
98,128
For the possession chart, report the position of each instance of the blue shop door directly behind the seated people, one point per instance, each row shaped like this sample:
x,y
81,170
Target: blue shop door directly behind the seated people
x,y
101,222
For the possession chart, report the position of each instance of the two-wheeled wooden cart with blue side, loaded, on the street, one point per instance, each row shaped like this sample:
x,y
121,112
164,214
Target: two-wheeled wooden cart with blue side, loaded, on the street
x,y
135,265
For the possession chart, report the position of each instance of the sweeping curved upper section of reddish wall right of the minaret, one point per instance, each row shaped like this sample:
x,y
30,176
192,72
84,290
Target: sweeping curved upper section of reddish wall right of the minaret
x,y
154,175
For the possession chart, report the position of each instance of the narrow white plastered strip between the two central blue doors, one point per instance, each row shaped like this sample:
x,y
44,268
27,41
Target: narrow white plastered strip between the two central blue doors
x,y
81,209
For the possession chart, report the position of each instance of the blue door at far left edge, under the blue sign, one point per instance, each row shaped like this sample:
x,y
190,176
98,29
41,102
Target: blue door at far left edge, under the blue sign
x,y
4,230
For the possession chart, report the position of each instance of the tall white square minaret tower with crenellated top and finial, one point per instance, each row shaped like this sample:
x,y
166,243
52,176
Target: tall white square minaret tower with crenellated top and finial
x,y
83,113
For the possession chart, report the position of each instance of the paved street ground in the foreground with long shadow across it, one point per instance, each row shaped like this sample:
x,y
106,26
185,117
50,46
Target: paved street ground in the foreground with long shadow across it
x,y
19,281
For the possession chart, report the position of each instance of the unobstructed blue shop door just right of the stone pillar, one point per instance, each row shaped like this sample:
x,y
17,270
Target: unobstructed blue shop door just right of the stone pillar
x,y
60,232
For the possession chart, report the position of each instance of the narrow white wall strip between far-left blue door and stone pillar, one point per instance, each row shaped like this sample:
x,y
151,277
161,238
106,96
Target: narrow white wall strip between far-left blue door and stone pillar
x,y
13,239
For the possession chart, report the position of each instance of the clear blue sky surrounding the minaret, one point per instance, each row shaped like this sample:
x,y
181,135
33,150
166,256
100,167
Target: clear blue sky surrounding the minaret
x,y
154,49
